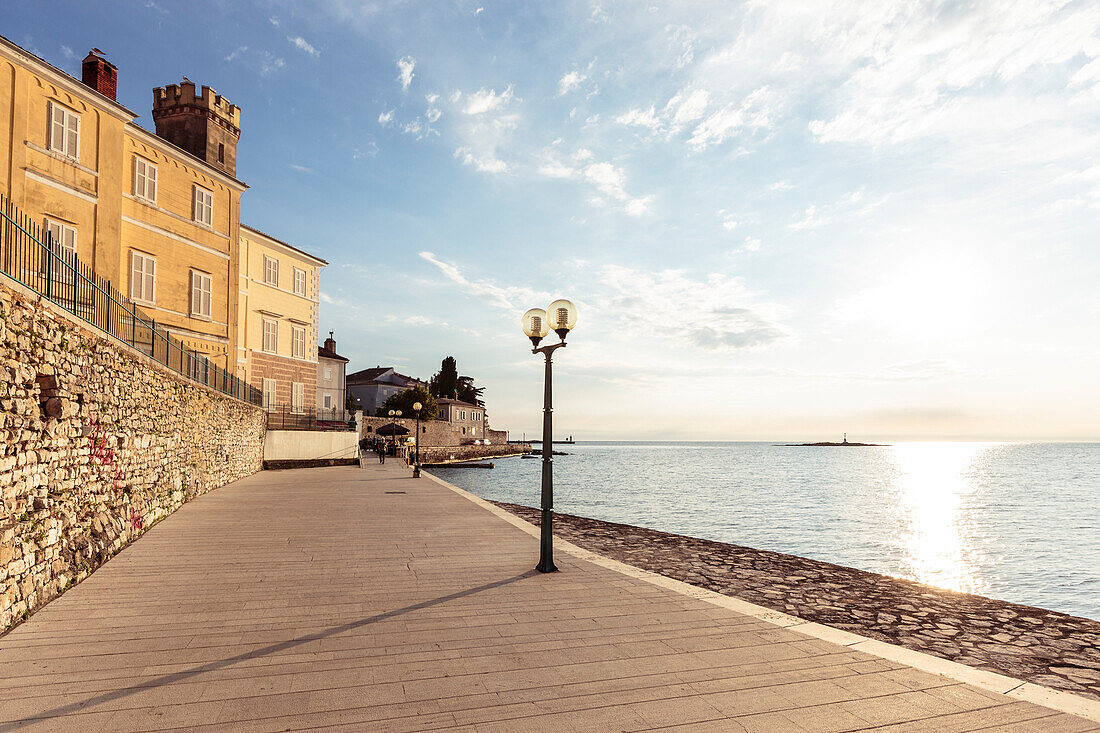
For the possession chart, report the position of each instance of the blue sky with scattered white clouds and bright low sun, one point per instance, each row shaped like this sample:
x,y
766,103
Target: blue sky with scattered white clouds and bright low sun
x,y
778,221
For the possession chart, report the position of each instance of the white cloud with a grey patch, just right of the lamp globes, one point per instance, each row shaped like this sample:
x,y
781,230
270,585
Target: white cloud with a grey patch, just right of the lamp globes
x,y
716,314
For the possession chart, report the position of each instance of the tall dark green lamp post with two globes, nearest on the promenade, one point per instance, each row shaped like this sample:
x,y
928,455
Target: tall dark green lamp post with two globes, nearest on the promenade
x,y
562,316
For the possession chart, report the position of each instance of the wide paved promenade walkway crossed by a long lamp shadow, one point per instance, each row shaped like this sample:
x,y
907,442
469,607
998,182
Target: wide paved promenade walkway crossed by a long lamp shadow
x,y
367,600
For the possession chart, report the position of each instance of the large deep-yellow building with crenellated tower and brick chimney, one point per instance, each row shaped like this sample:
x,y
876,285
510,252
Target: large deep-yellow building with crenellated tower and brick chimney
x,y
158,215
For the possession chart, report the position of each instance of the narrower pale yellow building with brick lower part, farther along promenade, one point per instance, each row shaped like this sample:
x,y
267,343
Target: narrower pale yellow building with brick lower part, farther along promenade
x,y
280,287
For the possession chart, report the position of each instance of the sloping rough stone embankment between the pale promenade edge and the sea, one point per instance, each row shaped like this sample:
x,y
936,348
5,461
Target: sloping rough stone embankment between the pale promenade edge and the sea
x,y
1031,644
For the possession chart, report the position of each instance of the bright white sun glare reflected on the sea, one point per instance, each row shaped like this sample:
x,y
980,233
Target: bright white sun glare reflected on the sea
x,y
932,486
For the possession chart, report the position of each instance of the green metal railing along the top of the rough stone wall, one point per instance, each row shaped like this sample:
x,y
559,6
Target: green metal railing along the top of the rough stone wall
x,y
32,258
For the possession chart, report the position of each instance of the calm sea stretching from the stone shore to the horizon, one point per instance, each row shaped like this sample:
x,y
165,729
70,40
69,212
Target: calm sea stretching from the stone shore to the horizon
x,y
1018,522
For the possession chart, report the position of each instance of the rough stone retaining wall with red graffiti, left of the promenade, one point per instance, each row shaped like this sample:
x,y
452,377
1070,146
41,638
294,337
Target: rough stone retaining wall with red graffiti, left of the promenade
x,y
97,444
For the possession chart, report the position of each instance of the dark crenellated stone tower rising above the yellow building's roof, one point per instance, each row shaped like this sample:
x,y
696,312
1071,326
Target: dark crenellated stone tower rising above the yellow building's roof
x,y
207,126
